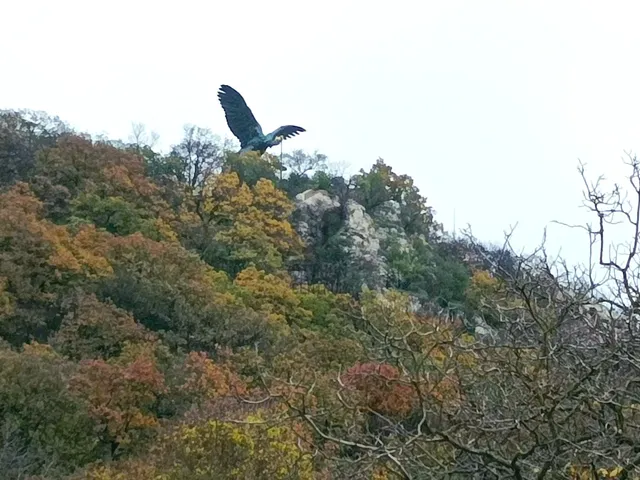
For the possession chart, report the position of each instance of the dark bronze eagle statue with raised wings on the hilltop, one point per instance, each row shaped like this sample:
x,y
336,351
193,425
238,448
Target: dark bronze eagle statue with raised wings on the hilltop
x,y
245,126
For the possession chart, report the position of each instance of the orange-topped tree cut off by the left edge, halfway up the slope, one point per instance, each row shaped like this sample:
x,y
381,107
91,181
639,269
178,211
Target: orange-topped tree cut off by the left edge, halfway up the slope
x,y
39,262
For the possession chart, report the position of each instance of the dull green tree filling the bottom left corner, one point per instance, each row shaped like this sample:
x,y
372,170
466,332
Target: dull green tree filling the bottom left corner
x,y
43,427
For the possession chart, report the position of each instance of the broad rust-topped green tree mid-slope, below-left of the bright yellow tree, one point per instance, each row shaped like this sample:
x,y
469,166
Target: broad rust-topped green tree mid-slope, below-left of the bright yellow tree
x,y
173,292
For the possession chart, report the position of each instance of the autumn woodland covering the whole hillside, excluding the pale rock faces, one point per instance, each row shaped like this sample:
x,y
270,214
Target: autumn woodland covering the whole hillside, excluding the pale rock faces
x,y
161,317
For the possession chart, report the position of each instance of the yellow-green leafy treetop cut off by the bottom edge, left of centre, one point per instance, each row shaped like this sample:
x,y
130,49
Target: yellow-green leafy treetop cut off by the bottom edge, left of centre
x,y
216,450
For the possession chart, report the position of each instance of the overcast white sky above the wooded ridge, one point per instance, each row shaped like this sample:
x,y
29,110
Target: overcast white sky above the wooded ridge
x,y
488,105
